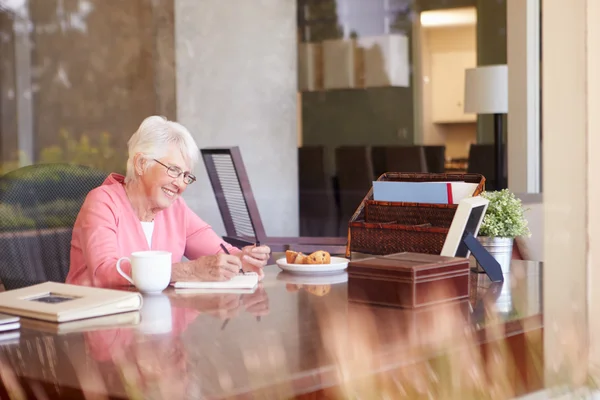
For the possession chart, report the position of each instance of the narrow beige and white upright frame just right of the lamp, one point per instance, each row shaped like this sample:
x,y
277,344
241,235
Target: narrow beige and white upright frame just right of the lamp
x,y
523,49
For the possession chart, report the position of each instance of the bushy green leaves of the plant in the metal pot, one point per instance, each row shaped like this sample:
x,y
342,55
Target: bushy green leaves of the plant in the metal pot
x,y
504,217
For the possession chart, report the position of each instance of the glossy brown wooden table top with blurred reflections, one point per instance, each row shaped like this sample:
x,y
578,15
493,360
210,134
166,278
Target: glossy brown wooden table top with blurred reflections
x,y
295,336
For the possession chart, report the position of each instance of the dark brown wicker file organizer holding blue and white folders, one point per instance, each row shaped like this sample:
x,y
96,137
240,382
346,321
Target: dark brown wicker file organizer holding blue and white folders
x,y
381,228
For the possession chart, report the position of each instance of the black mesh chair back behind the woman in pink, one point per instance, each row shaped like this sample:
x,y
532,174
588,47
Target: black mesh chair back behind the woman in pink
x,y
38,207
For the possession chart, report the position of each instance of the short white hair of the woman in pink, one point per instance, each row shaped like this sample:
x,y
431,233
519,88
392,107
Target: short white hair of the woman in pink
x,y
154,139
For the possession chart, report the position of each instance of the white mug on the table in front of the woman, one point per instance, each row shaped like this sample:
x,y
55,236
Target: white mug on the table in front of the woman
x,y
150,270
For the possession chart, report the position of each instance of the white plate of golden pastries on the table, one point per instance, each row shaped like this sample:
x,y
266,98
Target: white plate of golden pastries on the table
x,y
317,262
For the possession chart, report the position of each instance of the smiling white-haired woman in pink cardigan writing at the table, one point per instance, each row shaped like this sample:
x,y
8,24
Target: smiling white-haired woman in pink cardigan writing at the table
x,y
145,211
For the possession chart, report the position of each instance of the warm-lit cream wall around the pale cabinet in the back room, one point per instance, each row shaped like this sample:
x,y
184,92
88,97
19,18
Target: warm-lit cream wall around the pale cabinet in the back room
x,y
456,136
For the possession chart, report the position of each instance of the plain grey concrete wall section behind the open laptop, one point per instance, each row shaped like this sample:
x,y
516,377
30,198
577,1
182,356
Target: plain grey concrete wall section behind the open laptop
x,y
236,86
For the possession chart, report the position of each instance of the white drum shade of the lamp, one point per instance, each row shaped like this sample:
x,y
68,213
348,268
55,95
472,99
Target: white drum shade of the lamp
x,y
486,90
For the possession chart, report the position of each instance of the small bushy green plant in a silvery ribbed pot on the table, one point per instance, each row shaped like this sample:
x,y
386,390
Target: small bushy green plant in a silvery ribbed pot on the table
x,y
503,222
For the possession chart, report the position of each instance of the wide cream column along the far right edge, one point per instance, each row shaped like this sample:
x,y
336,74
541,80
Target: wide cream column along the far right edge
x,y
571,120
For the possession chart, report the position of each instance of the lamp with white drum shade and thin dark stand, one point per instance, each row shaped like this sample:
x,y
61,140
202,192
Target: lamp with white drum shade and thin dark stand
x,y
486,92
